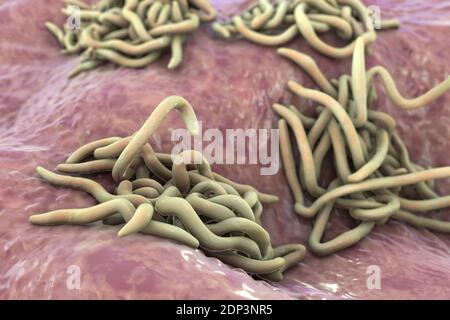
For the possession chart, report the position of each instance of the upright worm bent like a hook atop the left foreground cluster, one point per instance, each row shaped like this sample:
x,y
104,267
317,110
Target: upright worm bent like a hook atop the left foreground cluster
x,y
151,124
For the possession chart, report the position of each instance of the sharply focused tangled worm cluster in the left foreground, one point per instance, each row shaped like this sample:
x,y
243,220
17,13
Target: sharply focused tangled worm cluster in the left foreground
x,y
177,198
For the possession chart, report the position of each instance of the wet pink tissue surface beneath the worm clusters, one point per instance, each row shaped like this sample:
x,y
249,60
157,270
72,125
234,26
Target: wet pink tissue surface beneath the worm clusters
x,y
44,117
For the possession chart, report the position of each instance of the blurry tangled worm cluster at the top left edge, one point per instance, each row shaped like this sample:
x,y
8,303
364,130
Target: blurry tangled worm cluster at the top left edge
x,y
131,33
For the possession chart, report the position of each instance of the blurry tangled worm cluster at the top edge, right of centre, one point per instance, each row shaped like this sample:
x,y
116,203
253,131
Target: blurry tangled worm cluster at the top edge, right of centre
x,y
277,24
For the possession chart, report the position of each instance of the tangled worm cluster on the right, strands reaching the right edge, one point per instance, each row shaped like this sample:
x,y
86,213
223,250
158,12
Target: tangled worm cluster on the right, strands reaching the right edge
x,y
375,179
